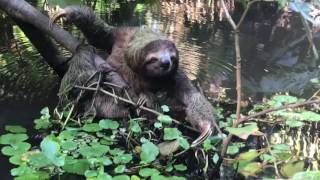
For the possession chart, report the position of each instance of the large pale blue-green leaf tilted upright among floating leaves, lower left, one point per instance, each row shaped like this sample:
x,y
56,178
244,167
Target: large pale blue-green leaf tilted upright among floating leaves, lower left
x,y
51,149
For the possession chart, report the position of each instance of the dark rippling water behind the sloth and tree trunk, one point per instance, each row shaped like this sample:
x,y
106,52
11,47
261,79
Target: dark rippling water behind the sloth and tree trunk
x,y
206,50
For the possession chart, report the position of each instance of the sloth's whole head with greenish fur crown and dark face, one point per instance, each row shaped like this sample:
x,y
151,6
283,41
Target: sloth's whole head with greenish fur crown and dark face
x,y
152,55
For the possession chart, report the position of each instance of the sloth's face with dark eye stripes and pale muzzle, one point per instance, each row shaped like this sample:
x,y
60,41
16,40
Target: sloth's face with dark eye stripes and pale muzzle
x,y
161,59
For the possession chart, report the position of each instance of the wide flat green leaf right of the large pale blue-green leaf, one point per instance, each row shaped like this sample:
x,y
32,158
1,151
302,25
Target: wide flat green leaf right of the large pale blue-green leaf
x,y
96,150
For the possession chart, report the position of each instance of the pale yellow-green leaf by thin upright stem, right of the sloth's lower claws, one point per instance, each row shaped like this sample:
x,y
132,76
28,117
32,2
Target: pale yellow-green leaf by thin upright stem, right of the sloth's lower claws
x,y
244,132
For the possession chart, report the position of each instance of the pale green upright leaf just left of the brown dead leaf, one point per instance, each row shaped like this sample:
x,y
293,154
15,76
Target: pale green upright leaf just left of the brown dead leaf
x,y
149,152
